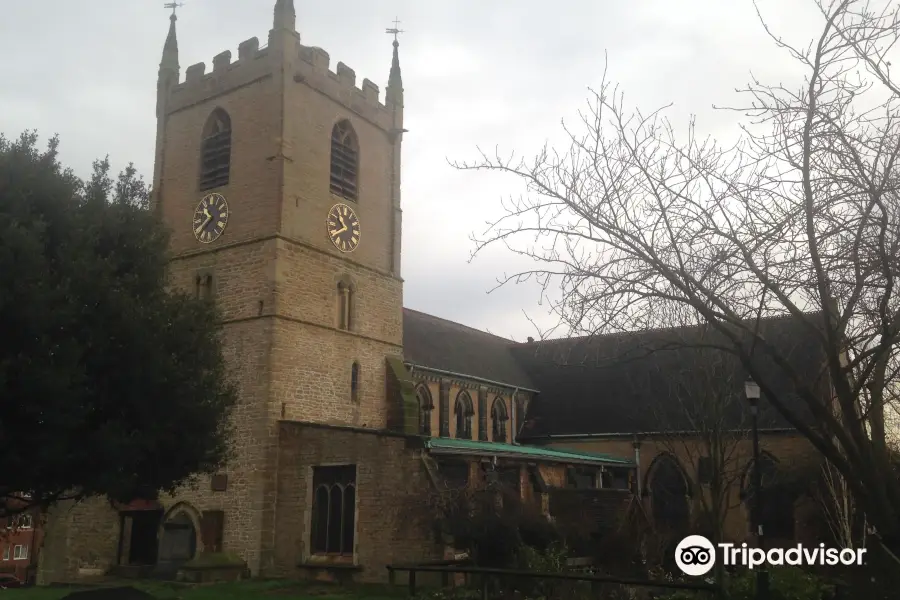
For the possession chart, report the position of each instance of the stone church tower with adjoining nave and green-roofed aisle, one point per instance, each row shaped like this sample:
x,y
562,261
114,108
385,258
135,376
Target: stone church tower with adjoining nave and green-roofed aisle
x,y
280,182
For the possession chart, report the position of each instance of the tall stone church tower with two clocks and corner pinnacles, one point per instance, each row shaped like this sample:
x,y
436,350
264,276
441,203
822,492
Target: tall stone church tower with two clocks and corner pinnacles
x,y
280,182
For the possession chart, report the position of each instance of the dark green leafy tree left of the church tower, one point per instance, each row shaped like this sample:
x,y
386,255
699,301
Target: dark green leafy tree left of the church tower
x,y
109,384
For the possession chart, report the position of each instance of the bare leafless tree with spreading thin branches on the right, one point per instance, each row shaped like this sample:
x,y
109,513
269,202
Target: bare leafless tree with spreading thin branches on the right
x,y
799,217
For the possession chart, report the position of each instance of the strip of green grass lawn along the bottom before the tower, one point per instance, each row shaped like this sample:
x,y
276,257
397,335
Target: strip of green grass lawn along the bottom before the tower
x,y
245,590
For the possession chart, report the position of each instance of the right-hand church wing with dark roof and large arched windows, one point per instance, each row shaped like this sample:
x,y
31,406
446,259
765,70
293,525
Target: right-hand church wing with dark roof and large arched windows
x,y
680,408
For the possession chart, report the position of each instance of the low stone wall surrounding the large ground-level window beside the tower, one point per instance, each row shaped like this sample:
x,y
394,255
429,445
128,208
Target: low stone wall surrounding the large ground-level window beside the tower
x,y
391,523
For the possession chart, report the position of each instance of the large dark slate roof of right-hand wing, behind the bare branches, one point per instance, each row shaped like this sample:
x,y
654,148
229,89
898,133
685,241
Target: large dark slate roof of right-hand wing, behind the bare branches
x,y
645,382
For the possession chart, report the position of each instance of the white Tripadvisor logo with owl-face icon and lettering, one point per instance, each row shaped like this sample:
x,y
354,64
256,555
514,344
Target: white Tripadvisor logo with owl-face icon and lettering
x,y
695,555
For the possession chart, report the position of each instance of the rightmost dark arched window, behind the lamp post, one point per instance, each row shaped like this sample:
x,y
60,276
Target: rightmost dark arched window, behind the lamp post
x,y
778,500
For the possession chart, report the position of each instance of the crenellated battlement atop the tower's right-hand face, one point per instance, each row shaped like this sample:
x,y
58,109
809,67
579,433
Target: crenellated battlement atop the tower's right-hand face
x,y
313,69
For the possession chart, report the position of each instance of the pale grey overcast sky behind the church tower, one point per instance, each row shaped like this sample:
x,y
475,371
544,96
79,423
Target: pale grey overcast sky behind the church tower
x,y
476,73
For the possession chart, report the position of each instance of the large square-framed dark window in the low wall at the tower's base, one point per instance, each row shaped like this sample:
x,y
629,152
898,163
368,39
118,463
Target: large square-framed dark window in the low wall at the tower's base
x,y
334,510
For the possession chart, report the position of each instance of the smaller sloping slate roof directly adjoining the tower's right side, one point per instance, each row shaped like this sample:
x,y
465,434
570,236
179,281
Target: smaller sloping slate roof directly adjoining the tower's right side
x,y
440,344
